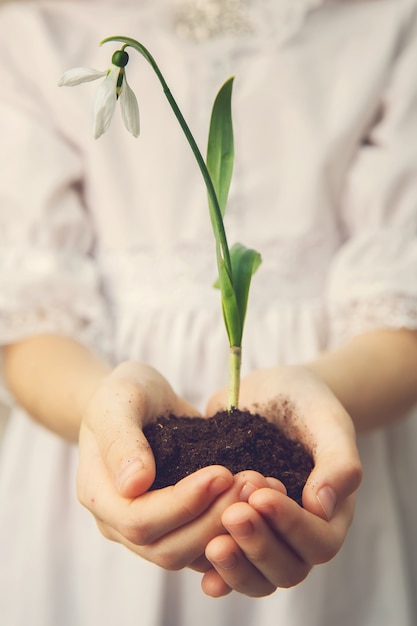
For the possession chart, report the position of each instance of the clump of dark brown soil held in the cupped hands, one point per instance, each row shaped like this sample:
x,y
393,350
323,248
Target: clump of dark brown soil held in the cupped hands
x,y
238,440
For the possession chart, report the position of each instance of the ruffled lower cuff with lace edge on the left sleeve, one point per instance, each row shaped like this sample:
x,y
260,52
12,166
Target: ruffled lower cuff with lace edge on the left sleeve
x,y
50,291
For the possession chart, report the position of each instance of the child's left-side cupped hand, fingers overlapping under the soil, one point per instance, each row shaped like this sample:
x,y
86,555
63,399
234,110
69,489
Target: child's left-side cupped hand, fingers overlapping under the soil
x,y
170,527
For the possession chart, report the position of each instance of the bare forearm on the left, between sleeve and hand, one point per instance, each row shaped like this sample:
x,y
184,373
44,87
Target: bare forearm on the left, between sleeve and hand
x,y
53,377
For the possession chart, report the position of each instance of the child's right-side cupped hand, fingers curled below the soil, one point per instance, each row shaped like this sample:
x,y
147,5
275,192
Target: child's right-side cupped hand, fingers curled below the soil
x,y
272,542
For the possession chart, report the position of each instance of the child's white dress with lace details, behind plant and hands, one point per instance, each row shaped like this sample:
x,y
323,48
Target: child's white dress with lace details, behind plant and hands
x,y
110,241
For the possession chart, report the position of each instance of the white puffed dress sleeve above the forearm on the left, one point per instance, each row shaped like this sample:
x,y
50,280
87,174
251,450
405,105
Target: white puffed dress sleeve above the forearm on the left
x,y
48,276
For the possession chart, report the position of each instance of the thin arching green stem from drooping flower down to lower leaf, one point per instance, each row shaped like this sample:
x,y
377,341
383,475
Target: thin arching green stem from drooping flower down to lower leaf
x,y
222,248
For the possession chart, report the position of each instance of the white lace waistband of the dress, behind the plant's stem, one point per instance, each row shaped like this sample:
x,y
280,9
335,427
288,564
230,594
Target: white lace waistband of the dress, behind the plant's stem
x,y
187,275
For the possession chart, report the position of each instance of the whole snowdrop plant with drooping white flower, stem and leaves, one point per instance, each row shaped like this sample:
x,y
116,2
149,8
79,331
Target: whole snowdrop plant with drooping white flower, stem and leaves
x,y
235,265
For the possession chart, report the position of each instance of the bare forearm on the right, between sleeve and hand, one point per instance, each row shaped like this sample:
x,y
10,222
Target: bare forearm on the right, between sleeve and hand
x,y
374,376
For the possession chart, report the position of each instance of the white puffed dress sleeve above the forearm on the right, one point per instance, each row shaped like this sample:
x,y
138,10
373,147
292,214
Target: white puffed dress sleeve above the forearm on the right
x,y
373,280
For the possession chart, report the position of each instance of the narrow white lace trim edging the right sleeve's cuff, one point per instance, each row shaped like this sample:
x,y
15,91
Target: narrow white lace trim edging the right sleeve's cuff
x,y
393,311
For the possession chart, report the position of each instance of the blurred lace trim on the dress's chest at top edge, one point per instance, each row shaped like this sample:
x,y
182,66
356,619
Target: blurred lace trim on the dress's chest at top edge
x,y
201,20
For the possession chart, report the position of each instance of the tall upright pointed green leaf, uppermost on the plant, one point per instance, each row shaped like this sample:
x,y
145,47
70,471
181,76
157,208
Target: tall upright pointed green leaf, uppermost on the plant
x,y
220,148
